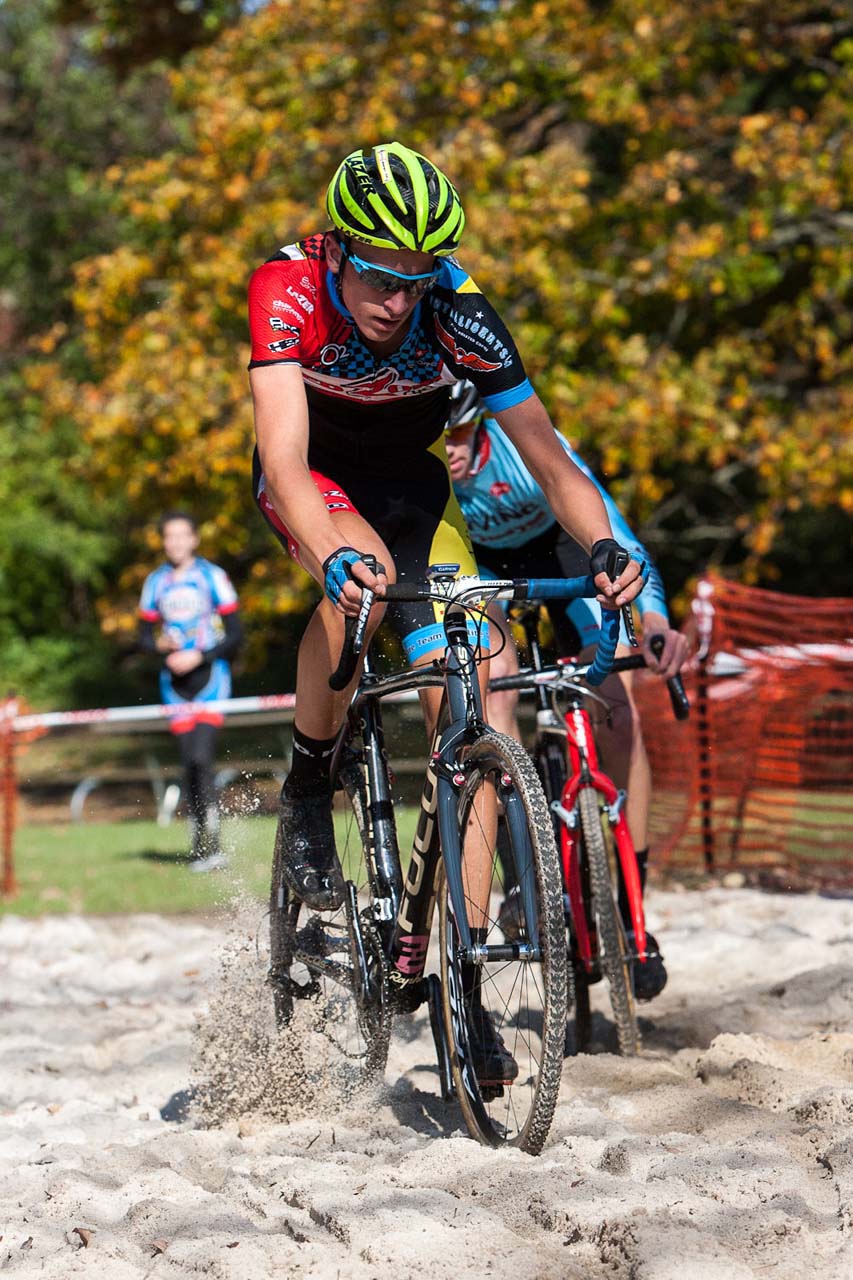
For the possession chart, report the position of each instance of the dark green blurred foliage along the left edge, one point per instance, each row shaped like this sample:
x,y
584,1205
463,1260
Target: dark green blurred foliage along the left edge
x,y
63,121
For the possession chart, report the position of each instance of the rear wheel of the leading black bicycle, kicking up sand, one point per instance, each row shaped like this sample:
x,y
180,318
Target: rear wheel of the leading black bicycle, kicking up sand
x,y
313,954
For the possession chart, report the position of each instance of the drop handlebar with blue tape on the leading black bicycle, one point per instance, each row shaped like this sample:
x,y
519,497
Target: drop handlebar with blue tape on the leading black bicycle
x,y
467,591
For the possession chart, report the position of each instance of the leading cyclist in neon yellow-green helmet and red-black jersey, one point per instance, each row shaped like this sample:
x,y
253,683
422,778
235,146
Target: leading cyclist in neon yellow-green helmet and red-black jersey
x,y
359,332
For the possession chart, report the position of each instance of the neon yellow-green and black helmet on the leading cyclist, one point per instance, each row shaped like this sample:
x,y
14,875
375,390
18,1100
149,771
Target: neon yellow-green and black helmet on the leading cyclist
x,y
395,198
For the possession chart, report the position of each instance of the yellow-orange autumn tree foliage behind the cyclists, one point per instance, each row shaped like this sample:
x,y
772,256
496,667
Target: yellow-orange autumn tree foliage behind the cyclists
x,y
659,200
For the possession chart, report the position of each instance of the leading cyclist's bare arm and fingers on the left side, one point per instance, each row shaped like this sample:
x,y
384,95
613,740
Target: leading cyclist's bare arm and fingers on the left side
x,y
282,431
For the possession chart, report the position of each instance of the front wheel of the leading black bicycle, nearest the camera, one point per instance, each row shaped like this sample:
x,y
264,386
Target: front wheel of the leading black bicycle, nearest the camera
x,y
505,1017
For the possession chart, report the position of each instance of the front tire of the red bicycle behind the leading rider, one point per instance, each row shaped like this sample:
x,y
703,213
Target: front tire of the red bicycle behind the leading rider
x,y
600,853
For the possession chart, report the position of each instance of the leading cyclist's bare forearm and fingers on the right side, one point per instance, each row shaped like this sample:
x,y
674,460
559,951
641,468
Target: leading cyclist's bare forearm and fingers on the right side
x,y
572,496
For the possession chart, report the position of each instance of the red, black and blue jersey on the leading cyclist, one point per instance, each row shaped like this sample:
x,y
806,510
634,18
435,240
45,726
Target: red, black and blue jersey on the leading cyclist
x,y
378,412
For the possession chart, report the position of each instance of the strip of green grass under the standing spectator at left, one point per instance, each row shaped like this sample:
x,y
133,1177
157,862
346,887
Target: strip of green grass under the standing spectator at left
x,y
122,867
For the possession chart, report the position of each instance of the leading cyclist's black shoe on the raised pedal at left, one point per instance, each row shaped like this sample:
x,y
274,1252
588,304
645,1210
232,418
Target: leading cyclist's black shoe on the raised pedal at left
x,y
311,865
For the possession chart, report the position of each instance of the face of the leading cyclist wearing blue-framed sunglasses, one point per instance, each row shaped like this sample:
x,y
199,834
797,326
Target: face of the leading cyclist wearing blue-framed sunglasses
x,y
381,317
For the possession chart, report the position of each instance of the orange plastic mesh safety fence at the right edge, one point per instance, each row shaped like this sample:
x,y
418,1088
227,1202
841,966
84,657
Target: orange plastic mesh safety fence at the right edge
x,y
761,776
